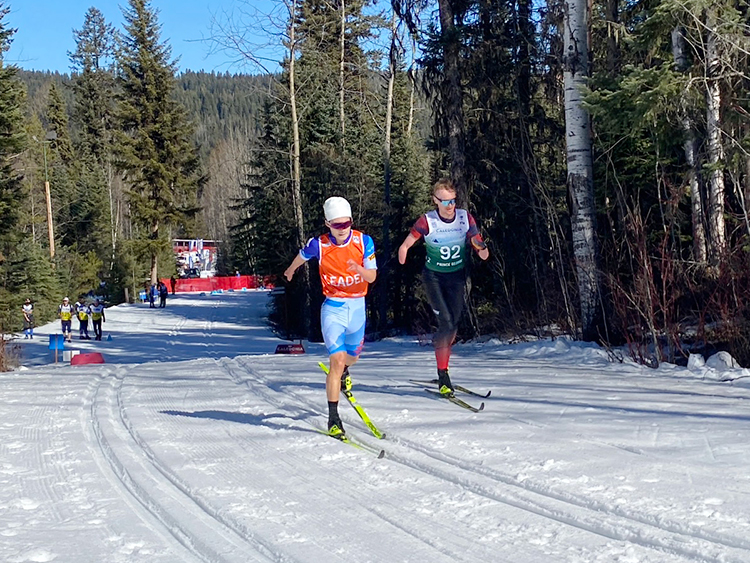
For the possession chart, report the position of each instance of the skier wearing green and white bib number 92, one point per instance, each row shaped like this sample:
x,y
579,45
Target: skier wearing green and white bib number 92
x,y
446,231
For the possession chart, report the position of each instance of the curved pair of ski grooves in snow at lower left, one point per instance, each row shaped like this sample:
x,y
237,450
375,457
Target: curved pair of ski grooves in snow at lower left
x,y
138,472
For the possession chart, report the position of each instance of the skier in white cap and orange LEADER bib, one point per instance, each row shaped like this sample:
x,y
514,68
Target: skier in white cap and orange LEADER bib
x,y
346,261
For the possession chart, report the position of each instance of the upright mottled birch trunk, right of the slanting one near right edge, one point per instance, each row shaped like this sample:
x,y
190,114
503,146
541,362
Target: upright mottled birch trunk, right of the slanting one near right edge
x,y
716,229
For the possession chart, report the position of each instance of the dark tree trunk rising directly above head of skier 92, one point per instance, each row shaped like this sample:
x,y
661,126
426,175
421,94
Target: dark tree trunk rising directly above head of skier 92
x,y
453,96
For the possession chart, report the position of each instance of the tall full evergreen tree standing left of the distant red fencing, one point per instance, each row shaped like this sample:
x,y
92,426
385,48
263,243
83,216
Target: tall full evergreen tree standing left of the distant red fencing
x,y
155,148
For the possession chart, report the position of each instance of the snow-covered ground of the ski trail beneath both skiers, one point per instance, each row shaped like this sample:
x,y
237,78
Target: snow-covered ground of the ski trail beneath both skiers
x,y
194,442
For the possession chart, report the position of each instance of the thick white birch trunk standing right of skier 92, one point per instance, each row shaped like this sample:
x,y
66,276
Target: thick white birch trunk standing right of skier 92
x,y
580,165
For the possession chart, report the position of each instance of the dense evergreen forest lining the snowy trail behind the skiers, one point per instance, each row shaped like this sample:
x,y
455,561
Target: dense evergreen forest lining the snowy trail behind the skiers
x,y
602,148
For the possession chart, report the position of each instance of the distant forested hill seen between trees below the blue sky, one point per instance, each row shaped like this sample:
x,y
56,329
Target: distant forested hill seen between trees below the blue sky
x,y
222,106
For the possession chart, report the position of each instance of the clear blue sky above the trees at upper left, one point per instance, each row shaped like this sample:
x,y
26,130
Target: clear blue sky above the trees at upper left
x,y
45,30
